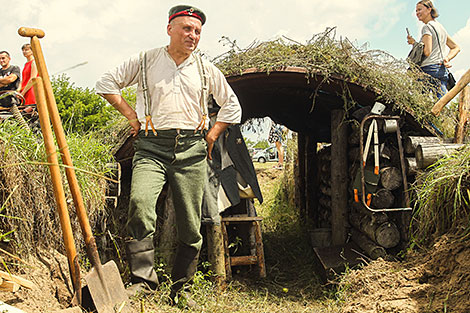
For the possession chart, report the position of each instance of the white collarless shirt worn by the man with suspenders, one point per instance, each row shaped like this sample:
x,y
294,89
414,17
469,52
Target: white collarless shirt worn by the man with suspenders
x,y
175,91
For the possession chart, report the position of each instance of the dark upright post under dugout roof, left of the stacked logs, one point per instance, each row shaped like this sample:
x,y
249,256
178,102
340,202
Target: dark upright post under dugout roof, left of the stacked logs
x,y
339,178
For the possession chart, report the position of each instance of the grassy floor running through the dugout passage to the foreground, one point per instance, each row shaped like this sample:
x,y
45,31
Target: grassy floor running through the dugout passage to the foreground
x,y
291,284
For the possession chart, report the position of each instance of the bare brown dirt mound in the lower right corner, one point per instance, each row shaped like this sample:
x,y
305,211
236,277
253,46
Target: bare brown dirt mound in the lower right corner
x,y
437,280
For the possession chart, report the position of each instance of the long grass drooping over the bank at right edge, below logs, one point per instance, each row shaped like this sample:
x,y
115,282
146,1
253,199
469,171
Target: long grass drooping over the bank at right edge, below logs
x,y
443,197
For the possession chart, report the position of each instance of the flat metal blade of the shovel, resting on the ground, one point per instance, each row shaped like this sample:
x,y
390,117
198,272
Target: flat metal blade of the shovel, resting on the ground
x,y
107,292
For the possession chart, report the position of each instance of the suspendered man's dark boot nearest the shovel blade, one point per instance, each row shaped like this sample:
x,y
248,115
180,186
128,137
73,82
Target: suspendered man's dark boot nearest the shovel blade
x,y
140,254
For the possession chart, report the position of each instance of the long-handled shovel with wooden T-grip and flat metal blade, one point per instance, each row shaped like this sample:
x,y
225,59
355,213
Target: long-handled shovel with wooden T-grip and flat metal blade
x,y
104,282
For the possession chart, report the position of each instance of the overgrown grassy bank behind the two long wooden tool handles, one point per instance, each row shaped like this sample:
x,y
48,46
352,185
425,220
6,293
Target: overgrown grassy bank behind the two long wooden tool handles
x,y
29,217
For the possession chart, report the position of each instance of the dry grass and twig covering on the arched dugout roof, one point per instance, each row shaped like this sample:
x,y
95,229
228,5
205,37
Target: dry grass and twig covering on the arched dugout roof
x,y
327,56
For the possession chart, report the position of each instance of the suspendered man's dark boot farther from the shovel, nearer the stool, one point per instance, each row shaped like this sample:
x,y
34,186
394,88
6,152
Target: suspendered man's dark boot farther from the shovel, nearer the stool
x,y
183,271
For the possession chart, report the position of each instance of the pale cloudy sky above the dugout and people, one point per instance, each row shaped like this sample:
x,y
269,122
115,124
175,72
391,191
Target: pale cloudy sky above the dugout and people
x,y
101,34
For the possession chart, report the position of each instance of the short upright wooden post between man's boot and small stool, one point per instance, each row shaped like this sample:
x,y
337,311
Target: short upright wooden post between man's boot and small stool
x,y
216,253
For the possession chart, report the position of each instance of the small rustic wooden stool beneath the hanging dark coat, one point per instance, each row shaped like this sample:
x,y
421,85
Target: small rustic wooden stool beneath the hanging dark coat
x,y
252,259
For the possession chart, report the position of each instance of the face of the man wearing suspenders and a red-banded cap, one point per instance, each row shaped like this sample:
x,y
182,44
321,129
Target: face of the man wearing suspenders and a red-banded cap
x,y
184,32
